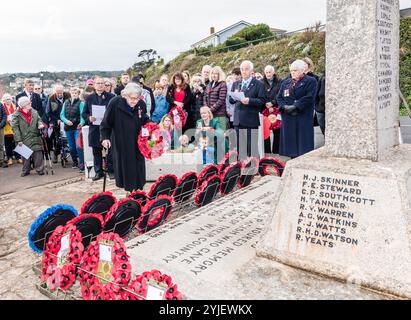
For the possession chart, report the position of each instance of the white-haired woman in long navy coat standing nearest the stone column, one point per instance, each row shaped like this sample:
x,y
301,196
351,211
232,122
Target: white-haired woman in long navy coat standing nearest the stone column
x,y
296,99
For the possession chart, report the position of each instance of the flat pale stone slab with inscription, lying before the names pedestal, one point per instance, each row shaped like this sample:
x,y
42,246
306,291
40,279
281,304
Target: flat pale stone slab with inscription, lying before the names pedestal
x,y
210,253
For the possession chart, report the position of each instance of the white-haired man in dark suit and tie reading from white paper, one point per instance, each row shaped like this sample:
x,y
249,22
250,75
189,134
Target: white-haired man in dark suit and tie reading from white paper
x,y
247,111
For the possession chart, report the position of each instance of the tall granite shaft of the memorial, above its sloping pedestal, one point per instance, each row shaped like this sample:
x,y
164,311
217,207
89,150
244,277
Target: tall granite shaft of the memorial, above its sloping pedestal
x,y
362,49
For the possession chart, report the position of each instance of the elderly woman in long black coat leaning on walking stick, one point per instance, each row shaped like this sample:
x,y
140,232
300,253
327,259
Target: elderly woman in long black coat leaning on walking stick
x,y
122,122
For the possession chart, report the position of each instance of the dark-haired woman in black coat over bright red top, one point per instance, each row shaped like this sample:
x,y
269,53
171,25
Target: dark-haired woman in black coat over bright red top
x,y
179,94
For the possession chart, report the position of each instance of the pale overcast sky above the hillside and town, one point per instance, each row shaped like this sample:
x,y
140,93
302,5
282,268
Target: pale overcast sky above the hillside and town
x,y
76,35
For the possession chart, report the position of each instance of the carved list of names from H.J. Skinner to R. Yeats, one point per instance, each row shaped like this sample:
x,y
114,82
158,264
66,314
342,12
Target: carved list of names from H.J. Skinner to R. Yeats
x,y
326,214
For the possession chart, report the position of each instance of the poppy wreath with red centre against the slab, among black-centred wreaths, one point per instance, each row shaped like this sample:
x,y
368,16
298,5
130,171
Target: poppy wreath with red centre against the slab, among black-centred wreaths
x,y
155,212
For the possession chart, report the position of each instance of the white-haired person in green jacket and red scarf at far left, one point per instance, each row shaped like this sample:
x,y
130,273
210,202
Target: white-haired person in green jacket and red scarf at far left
x,y
26,126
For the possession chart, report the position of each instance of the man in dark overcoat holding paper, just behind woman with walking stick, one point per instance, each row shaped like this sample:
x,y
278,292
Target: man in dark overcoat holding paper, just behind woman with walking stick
x,y
98,98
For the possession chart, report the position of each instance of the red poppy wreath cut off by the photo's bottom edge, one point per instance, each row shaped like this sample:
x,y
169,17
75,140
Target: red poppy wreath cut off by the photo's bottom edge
x,y
152,285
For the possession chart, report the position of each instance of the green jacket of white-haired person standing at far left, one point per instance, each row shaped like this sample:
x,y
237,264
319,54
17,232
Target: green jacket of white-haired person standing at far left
x,y
29,134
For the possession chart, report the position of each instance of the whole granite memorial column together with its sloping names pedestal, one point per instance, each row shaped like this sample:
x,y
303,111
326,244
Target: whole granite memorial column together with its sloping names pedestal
x,y
344,210
